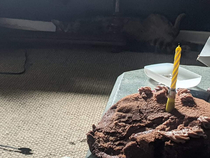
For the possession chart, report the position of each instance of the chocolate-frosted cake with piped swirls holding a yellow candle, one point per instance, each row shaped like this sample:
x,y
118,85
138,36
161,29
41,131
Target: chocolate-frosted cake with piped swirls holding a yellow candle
x,y
138,126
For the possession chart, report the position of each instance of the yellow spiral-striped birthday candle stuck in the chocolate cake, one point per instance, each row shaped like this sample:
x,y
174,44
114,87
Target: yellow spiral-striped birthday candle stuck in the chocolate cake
x,y
171,98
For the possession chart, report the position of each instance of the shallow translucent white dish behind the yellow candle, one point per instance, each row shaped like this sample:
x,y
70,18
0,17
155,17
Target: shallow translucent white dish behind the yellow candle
x,y
162,73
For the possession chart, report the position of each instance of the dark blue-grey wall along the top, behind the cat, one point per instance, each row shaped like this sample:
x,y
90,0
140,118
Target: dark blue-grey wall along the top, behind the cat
x,y
197,11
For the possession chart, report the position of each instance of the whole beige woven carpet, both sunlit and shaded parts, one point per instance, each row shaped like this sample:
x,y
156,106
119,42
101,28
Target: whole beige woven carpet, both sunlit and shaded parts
x,y
52,106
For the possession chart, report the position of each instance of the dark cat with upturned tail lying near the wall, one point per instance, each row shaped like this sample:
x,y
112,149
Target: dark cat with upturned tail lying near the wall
x,y
156,30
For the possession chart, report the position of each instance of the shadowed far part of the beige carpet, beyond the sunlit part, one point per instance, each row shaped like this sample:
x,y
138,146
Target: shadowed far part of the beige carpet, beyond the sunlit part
x,y
77,68
